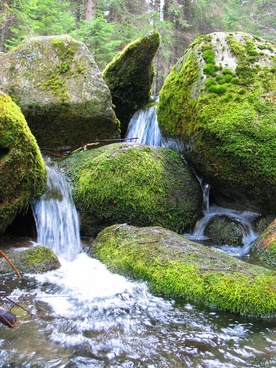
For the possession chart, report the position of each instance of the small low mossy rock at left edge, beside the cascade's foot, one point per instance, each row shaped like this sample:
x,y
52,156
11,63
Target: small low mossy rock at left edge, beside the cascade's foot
x,y
36,259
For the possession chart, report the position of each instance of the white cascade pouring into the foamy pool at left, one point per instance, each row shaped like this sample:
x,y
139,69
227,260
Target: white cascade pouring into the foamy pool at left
x,y
56,217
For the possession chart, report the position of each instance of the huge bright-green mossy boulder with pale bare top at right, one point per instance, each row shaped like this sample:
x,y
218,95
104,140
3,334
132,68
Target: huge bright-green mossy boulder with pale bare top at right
x,y
219,101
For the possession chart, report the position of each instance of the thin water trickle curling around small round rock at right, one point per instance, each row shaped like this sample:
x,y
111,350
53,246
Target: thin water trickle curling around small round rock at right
x,y
244,218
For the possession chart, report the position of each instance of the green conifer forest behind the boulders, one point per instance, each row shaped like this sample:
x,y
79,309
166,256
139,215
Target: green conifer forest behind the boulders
x,y
107,26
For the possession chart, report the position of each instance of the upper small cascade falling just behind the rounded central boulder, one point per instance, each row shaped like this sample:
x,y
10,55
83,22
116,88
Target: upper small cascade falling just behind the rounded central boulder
x,y
144,126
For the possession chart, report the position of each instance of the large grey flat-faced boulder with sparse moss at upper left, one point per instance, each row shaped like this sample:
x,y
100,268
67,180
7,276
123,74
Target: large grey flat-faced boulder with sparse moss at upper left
x,y
60,90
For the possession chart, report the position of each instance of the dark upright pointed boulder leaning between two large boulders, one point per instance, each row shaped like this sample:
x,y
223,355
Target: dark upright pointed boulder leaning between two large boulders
x,y
129,77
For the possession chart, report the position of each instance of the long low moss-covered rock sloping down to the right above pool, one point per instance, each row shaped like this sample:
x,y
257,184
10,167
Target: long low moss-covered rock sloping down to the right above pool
x,y
175,266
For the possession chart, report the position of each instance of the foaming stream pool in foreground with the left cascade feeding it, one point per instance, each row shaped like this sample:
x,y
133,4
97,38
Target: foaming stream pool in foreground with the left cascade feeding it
x,y
82,315
